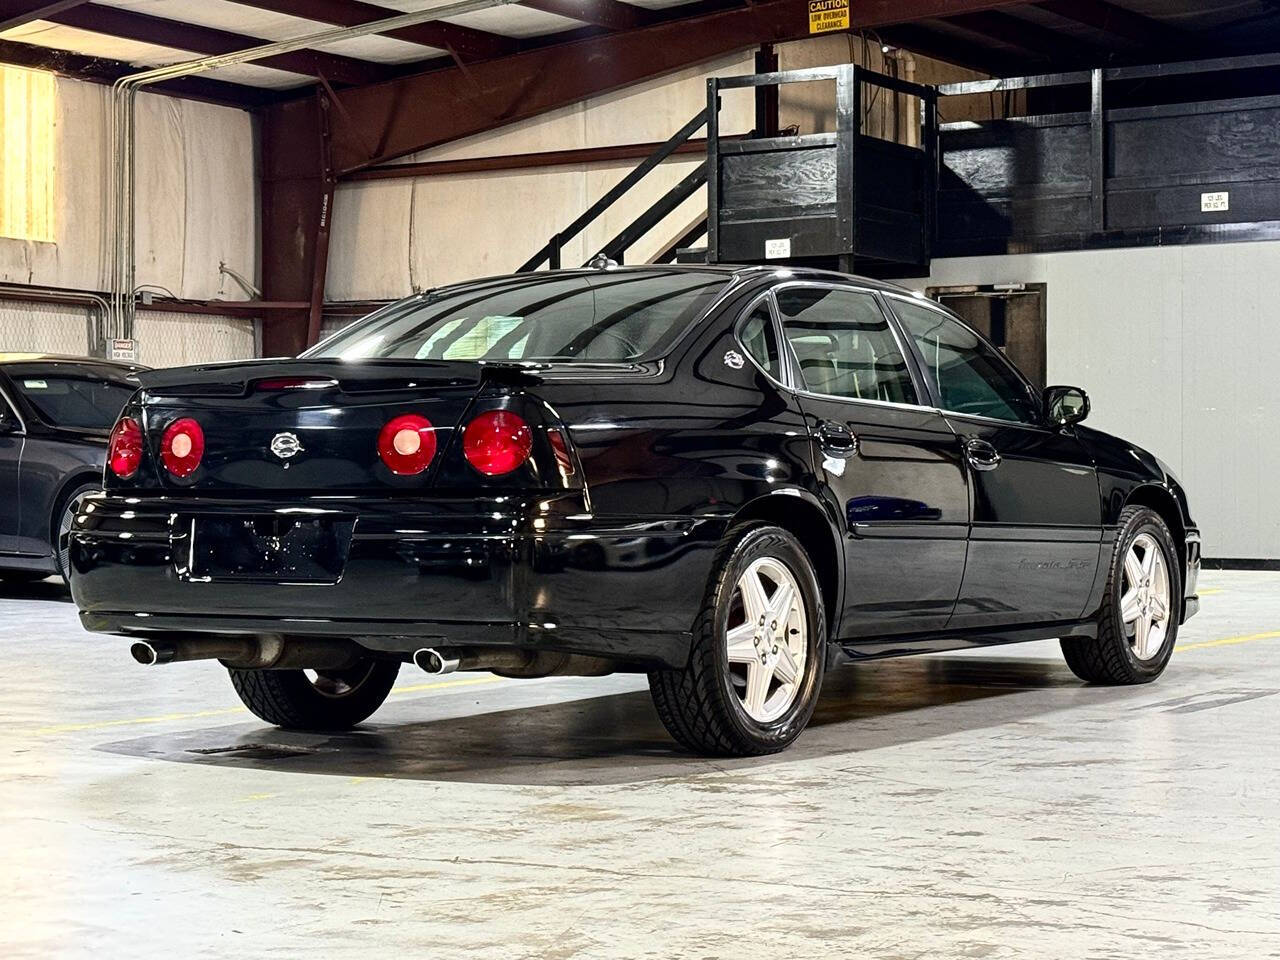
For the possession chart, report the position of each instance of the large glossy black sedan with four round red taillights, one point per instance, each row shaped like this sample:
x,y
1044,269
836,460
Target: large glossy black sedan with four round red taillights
x,y
725,478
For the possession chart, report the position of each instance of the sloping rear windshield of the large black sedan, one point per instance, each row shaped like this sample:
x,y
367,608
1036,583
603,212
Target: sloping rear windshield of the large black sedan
x,y
612,317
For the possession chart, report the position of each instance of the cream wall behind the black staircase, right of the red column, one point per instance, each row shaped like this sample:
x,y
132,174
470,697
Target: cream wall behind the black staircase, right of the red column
x,y
394,237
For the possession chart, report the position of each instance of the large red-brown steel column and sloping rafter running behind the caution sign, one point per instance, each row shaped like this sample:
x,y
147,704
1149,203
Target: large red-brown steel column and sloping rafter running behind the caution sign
x,y
388,121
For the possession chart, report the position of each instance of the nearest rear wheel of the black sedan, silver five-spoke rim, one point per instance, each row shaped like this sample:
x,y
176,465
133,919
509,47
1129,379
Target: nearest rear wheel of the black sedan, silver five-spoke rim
x,y
758,655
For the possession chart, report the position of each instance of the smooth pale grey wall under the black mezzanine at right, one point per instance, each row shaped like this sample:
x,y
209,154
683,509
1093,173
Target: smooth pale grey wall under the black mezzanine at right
x,y
1178,349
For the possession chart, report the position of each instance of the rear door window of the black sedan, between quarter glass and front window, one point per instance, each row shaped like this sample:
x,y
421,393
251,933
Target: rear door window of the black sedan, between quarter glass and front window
x,y
844,345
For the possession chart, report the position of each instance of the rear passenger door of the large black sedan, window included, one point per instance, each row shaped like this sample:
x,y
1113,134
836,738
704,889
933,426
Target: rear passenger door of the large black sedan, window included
x,y
890,464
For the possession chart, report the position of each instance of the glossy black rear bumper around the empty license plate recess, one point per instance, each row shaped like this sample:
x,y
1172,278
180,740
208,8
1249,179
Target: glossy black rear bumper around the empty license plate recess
x,y
533,573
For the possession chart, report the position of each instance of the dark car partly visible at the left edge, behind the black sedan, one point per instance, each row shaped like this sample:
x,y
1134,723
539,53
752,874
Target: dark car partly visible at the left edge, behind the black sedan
x,y
56,418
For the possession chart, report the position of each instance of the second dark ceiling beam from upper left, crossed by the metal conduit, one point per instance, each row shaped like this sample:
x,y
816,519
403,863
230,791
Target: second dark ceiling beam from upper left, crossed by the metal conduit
x,y
116,22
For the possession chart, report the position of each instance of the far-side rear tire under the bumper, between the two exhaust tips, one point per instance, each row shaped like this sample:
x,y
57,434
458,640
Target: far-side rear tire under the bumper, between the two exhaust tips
x,y
332,701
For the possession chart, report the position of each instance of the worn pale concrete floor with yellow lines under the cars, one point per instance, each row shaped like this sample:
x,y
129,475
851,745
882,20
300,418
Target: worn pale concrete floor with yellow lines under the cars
x,y
948,807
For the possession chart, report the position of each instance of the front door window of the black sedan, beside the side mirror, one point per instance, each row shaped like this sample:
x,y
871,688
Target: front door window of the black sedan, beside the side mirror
x,y
971,377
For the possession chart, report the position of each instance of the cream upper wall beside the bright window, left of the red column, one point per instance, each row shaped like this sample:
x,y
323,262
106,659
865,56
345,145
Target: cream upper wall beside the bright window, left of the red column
x,y
198,196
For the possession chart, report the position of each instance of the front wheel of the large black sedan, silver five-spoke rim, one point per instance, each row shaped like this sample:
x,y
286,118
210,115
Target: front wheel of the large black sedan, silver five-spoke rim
x,y
1141,607
